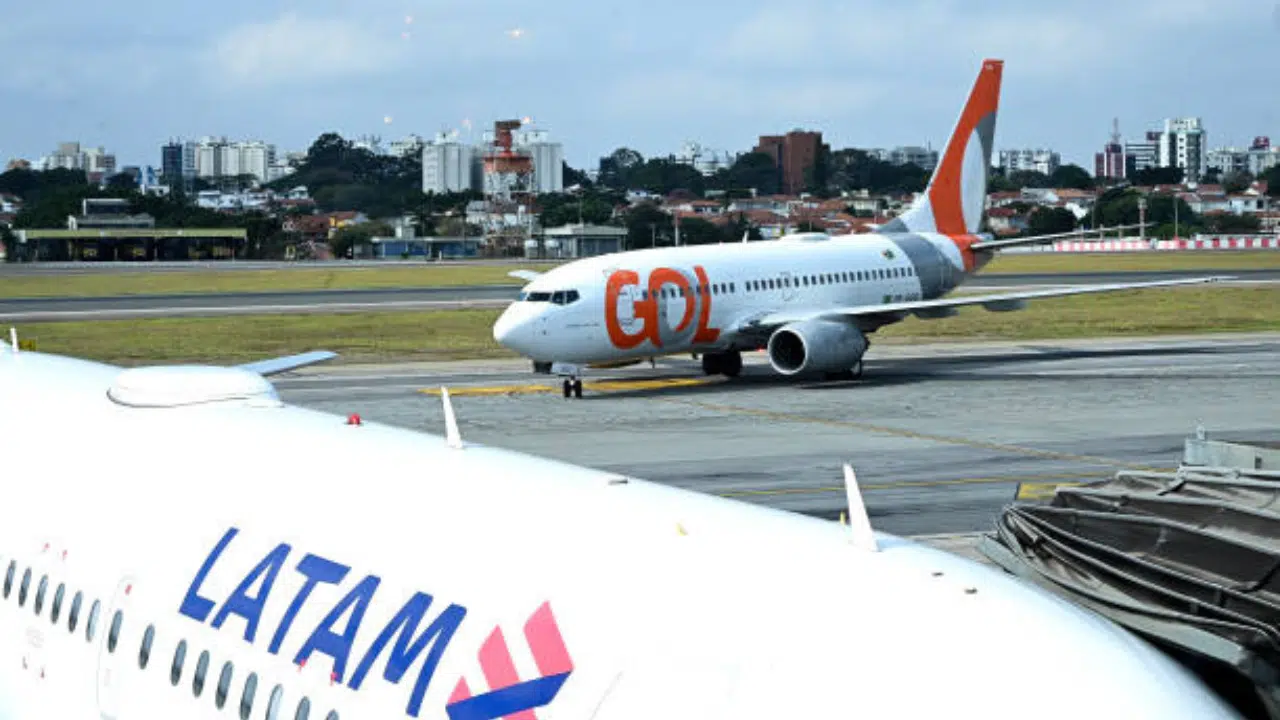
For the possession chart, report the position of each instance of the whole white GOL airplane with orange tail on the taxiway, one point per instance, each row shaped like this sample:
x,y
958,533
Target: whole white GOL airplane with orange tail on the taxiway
x,y
810,300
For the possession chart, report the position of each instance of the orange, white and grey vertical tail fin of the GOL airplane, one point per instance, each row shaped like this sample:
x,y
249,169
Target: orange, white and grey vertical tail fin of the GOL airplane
x,y
956,200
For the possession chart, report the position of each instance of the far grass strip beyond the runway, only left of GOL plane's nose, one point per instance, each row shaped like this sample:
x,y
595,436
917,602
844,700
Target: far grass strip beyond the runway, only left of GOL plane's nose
x,y
99,285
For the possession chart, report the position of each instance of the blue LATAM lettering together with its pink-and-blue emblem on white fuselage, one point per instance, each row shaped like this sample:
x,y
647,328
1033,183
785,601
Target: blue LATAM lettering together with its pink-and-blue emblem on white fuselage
x,y
364,634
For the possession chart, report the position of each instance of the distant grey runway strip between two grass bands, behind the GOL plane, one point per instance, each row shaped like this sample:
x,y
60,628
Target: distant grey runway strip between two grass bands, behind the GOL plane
x,y
53,309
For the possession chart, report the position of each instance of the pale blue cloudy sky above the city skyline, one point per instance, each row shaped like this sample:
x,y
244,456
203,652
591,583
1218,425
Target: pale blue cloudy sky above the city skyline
x,y
650,76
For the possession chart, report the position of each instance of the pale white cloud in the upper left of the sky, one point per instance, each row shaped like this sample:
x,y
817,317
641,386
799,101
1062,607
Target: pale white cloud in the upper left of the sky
x,y
291,51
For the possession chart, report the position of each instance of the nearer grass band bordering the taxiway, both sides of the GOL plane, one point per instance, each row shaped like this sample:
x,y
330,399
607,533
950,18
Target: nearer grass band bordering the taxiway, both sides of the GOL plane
x,y
450,335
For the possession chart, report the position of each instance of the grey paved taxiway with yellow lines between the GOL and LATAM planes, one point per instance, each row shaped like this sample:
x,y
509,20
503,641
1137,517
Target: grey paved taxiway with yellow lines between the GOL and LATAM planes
x,y
941,436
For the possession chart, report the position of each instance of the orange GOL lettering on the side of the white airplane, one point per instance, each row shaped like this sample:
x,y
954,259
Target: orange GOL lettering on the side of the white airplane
x,y
648,308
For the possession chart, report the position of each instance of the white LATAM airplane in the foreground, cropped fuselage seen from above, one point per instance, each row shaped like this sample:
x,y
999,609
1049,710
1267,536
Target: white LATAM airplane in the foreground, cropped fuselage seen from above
x,y
177,543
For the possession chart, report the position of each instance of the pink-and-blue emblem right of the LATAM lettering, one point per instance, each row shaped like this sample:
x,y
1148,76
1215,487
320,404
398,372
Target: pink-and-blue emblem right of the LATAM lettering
x,y
509,696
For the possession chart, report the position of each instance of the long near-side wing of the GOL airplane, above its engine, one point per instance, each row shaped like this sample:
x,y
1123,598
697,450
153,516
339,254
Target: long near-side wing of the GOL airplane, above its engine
x,y
1003,302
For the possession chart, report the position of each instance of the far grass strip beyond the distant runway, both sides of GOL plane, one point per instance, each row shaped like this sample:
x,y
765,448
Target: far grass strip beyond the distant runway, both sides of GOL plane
x,y
98,285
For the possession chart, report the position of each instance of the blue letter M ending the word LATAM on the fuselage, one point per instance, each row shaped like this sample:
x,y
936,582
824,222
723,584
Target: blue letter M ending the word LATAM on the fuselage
x,y
406,622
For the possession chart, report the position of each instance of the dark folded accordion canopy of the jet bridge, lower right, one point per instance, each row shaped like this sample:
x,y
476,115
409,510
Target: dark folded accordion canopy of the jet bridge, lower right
x,y
1190,560
